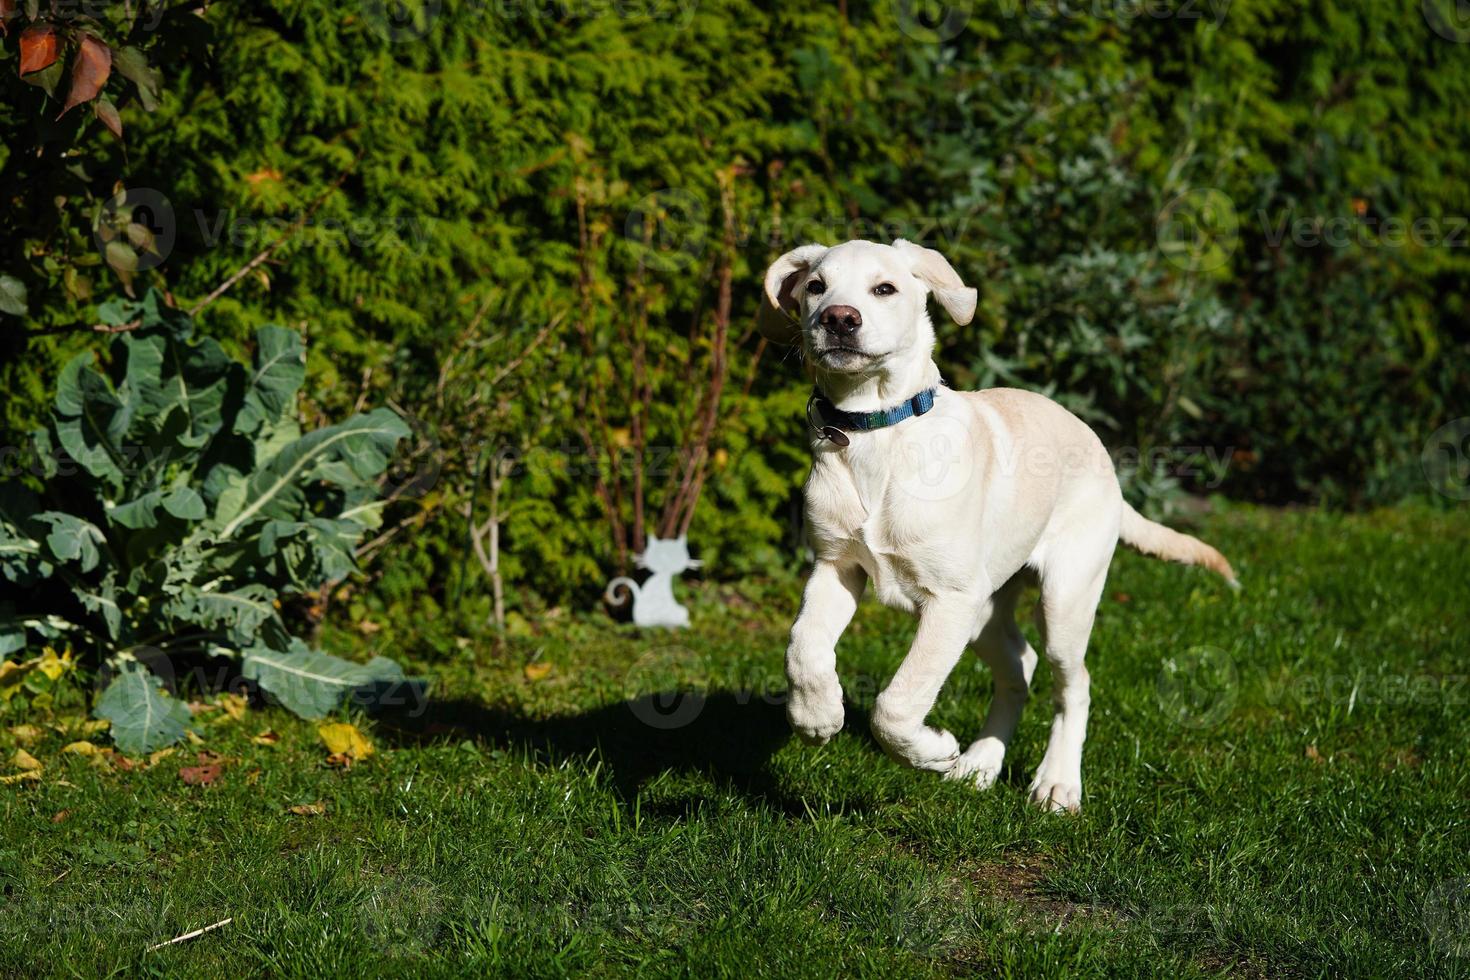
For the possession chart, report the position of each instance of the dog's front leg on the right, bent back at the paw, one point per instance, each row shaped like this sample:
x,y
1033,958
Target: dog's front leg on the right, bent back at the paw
x,y
946,625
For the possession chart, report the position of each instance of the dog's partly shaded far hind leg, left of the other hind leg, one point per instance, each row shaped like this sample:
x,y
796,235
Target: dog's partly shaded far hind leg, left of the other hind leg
x,y
1012,662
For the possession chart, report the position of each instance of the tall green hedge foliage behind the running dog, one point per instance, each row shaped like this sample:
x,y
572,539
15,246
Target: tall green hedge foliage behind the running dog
x,y
490,179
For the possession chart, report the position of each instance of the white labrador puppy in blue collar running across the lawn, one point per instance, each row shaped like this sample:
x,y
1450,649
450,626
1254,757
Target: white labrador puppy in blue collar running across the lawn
x,y
950,503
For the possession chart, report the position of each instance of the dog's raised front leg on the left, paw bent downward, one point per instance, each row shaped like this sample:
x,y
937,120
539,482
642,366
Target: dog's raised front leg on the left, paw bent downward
x,y
815,700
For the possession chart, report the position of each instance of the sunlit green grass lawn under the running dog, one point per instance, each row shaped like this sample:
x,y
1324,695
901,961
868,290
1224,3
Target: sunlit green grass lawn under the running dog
x,y
1275,781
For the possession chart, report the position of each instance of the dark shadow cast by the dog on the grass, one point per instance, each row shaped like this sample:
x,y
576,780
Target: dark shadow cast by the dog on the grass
x,y
724,735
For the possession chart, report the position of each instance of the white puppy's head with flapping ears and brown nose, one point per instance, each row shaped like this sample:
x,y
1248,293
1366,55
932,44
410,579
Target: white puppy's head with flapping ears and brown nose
x,y
861,305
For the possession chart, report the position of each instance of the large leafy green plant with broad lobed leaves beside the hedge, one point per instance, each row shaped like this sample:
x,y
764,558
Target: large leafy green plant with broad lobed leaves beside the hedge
x,y
179,502
